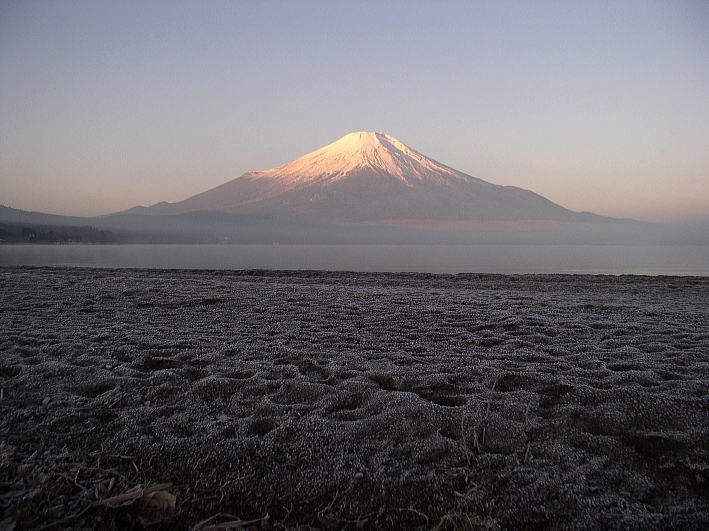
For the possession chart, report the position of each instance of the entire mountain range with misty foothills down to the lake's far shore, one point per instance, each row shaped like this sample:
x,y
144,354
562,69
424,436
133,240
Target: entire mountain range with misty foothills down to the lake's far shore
x,y
365,187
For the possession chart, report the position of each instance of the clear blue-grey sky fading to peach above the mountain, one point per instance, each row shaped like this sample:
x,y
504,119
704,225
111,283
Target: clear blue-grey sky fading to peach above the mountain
x,y
598,105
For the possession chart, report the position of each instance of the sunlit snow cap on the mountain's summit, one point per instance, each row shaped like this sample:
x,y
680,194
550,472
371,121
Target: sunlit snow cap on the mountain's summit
x,y
358,152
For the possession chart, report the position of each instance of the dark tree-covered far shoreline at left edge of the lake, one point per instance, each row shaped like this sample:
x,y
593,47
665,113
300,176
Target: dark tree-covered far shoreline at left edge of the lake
x,y
30,233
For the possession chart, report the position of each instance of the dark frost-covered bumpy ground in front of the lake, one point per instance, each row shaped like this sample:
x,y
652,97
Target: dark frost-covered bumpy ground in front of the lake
x,y
353,400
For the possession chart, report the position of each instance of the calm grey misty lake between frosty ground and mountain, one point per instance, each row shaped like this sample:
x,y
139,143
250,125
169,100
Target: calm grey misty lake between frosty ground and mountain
x,y
487,258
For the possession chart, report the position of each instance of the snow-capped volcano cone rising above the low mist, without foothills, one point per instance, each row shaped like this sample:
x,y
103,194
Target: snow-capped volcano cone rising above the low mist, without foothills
x,y
370,178
